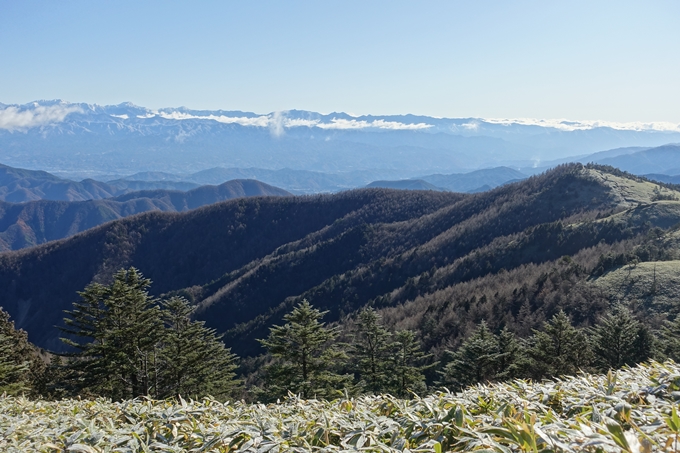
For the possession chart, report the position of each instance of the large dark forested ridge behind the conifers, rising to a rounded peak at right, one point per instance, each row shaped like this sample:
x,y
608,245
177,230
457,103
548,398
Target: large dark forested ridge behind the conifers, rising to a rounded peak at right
x,y
434,262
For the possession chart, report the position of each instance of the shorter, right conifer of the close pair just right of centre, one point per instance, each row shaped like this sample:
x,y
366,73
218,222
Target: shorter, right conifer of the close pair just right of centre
x,y
408,365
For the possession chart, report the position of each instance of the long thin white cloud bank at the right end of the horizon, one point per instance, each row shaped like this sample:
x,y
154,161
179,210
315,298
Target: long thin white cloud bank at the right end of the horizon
x,y
568,125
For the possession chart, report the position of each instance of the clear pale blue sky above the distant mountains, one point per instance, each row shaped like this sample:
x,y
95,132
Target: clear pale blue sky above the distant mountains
x,y
608,60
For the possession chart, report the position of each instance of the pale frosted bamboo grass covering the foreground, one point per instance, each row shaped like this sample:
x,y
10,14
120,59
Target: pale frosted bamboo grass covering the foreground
x,y
632,410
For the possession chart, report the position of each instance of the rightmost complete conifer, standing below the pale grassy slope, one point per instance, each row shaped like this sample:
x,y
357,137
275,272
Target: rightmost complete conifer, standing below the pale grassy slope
x,y
619,339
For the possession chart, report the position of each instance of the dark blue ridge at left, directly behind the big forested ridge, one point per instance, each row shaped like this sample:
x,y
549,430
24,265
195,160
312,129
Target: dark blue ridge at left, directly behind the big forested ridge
x,y
36,222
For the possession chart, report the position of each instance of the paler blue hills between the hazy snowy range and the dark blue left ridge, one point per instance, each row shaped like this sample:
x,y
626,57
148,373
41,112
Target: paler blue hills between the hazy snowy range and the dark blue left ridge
x,y
21,185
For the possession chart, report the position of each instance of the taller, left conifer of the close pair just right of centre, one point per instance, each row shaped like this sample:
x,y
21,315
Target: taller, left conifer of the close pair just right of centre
x,y
371,351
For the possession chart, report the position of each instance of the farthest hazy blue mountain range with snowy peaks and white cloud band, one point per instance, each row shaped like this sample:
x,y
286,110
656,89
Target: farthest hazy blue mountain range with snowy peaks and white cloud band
x,y
90,140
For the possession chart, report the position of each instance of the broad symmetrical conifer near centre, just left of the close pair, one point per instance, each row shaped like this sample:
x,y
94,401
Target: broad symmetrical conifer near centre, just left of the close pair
x,y
307,358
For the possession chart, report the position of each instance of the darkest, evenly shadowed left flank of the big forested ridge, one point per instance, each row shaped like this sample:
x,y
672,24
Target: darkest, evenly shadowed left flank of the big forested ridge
x,y
186,250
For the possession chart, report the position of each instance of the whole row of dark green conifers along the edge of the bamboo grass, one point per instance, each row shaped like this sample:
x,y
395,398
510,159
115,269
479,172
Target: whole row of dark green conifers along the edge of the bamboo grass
x,y
127,344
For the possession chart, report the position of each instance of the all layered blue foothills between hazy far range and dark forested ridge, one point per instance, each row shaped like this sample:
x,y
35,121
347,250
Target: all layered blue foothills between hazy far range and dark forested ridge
x,y
37,207
